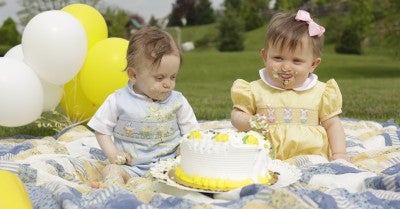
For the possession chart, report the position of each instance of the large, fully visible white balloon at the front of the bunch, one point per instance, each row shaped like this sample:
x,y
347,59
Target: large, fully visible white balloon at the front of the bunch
x,y
54,45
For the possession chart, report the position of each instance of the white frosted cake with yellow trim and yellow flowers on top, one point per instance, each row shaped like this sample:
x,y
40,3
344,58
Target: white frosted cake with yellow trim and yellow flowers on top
x,y
223,160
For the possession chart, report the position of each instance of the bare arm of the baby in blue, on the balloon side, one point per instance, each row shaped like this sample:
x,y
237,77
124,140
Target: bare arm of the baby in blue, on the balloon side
x,y
114,155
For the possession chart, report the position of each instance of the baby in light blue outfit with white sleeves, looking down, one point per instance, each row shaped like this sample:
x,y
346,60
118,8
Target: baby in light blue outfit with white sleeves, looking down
x,y
142,123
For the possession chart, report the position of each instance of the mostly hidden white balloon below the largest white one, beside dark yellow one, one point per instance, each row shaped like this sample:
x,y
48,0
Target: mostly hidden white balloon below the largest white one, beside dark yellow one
x,y
52,95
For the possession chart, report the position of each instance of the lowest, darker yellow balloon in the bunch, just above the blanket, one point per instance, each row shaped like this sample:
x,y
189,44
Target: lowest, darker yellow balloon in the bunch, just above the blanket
x,y
74,102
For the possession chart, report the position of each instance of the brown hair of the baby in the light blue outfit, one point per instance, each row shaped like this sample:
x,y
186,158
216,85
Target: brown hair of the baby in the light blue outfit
x,y
152,44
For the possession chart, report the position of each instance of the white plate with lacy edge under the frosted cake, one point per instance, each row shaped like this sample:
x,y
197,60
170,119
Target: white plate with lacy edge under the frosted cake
x,y
163,172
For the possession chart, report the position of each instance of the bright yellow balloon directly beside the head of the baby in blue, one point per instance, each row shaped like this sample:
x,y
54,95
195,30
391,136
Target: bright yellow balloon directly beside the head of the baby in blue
x,y
104,69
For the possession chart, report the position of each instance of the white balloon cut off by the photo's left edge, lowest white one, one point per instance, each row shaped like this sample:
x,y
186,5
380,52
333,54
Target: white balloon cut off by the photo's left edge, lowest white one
x,y
21,93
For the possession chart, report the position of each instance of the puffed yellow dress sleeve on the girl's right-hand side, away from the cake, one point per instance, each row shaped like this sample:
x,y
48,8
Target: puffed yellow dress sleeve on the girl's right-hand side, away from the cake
x,y
331,102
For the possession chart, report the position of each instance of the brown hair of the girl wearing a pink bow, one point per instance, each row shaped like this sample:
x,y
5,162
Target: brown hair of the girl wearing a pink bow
x,y
284,30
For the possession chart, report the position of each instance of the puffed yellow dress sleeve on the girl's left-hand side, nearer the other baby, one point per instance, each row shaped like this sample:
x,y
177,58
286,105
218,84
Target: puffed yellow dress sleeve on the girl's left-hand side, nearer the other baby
x,y
242,96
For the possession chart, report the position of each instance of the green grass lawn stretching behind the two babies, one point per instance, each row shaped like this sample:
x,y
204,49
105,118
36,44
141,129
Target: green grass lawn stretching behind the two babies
x,y
369,83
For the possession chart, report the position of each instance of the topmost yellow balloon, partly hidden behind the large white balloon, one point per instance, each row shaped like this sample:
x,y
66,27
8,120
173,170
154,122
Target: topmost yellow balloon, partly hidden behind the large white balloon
x,y
91,19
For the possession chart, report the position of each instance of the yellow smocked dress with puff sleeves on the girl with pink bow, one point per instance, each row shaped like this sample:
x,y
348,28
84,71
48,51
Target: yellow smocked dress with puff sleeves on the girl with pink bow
x,y
294,117
